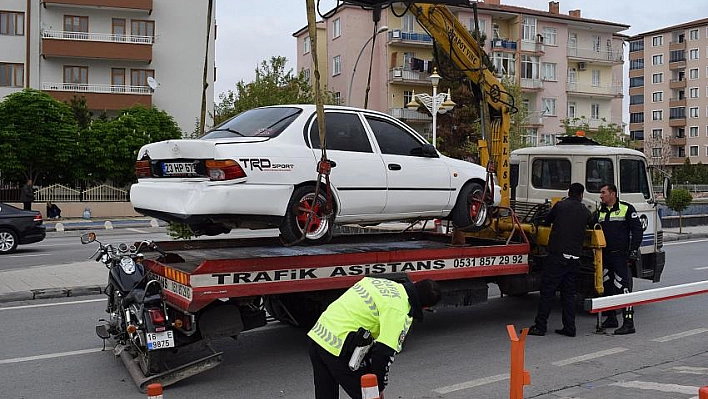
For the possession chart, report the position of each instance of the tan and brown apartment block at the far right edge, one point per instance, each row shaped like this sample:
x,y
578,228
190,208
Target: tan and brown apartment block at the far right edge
x,y
668,90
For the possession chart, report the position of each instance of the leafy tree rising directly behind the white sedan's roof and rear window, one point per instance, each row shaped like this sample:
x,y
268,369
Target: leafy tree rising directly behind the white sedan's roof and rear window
x,y
273,86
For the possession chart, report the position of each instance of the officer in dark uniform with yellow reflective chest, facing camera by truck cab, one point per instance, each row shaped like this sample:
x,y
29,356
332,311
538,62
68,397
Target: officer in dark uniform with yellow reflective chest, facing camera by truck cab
x,y
623,234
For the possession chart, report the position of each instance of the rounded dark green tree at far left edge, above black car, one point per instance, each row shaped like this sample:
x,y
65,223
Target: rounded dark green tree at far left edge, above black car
x,y
37,137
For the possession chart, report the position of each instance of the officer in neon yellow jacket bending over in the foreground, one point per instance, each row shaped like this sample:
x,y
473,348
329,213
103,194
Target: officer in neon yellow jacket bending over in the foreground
x,y
378,309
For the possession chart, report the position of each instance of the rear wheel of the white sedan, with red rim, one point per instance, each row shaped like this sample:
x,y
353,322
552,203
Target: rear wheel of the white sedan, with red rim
x,y
296,218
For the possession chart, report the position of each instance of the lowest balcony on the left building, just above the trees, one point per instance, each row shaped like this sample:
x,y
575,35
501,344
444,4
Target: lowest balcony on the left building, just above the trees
x,y
102,97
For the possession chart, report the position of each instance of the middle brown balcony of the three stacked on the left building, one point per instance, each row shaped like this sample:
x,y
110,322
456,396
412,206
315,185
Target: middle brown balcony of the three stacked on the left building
x,y
96,46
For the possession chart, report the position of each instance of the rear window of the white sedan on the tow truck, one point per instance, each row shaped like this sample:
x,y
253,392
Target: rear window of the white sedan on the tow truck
x,y
257,122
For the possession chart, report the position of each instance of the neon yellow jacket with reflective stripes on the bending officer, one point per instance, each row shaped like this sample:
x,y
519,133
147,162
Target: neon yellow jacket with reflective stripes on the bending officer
x,y
378,305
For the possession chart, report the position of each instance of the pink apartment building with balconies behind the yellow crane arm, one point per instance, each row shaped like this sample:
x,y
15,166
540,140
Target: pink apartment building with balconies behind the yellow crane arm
x,y
567,66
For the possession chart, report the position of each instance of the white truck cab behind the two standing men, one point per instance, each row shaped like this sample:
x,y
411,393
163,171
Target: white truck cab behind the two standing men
x,y
541,174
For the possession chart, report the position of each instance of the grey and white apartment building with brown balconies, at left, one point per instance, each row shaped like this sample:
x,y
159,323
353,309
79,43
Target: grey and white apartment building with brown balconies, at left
x,y
115,53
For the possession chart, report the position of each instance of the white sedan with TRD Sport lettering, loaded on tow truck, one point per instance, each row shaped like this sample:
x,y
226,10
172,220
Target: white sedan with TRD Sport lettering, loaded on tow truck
x,y
259,170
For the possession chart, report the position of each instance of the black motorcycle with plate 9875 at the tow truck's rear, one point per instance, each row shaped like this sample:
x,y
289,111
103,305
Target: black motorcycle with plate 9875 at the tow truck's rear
x,y
137,315
